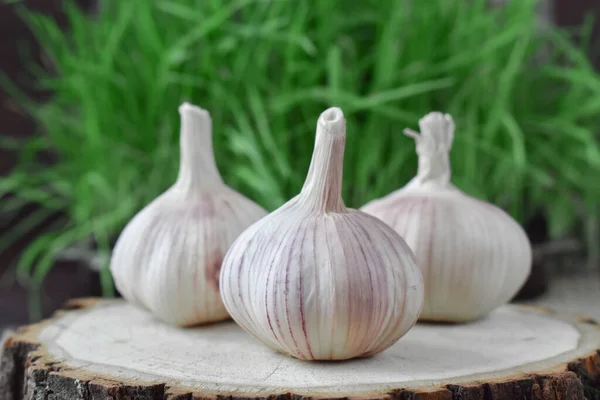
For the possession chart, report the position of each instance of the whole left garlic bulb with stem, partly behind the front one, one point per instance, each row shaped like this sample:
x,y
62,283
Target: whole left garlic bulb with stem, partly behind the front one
x,y
168,258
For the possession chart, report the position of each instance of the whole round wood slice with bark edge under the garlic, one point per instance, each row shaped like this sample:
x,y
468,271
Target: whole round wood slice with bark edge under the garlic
x,y
99,349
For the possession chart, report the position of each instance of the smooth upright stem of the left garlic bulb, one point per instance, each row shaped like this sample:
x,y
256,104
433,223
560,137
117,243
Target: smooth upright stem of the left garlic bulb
x,y
197,166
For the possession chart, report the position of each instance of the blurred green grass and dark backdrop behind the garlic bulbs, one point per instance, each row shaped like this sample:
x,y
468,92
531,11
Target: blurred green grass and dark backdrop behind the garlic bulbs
x,y
89,126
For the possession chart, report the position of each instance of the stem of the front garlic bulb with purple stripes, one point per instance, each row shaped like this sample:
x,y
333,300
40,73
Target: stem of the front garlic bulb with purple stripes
x,y
322,190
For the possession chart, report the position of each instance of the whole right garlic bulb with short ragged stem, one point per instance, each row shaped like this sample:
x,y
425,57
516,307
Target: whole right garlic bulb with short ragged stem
x,y
473,255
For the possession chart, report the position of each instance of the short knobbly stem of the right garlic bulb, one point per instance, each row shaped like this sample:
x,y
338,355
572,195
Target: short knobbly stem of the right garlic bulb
x,y
433,148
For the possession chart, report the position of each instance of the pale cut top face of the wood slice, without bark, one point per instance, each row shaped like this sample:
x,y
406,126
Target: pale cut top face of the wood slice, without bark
x,y
117,336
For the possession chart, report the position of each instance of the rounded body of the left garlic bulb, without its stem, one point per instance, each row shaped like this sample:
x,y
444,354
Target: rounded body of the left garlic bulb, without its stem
x,y
168,258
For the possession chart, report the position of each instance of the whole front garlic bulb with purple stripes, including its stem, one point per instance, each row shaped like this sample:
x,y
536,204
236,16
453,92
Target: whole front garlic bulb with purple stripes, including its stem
x,y
317,280
